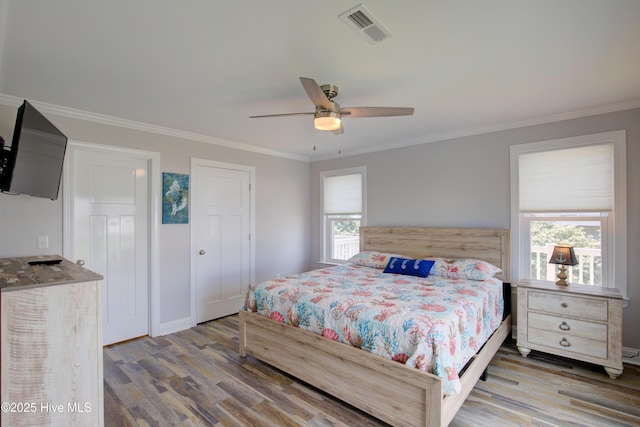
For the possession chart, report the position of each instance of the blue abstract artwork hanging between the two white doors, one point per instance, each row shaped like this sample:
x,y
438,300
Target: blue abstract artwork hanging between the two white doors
x,y
175,198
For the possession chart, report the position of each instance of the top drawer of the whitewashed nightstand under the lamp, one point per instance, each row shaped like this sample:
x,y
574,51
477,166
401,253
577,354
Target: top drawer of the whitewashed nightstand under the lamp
x,y
568,305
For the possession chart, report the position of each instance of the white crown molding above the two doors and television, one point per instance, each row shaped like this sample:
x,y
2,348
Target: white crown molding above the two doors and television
x,y
73,113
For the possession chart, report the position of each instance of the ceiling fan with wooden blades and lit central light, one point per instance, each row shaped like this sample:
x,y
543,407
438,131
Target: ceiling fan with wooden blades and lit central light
x,y
328,114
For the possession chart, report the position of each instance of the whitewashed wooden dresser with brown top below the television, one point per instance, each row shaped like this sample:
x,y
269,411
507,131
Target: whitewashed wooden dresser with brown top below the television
x,y
51,343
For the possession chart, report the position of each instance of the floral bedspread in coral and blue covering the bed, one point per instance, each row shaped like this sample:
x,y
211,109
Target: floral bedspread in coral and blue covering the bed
x,y
433,324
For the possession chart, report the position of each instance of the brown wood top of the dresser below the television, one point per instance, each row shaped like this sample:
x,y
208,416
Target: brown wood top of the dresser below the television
x,y
18,274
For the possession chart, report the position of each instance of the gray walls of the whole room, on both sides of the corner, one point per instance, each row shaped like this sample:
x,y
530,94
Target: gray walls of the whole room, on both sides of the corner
x,y
459,182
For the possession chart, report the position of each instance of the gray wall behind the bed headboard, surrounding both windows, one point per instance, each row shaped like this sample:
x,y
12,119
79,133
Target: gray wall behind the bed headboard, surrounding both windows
x,y
464,182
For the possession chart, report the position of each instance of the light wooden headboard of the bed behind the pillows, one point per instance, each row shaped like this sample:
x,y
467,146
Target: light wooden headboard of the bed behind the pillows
x,y
486,244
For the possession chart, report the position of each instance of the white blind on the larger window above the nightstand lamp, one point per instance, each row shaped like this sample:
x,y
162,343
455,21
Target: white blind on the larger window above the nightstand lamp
x,y
568,180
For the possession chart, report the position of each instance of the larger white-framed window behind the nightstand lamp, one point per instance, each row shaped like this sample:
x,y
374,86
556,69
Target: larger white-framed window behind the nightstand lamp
x,y
571,191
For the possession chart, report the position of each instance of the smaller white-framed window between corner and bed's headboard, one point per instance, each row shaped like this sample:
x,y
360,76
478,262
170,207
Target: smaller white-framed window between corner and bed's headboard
x,y
343,207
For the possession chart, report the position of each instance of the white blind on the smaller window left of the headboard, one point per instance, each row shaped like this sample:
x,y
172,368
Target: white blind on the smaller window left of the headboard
x,y
343,194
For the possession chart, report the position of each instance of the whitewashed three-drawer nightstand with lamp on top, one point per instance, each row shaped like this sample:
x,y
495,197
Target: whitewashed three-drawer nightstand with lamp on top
x,y
577,321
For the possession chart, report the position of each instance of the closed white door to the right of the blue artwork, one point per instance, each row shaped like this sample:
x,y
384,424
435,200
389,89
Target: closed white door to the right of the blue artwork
x,y
222,233
